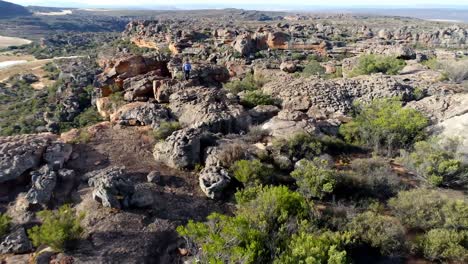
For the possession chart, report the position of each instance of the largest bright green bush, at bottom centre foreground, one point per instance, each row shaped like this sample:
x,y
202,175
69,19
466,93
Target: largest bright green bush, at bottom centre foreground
x,y
257,233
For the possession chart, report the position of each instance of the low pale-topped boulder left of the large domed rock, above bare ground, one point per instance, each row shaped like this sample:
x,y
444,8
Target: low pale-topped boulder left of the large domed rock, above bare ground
x,y
141,114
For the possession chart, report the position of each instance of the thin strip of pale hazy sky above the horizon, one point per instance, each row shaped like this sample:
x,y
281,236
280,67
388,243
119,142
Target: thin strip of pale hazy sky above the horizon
x,y
271,3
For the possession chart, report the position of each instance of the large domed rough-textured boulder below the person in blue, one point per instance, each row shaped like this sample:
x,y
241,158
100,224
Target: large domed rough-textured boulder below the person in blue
x,y
208,108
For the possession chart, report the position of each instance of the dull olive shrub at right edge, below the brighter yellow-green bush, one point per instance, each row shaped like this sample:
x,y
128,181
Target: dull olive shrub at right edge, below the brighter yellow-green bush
x,y
427,209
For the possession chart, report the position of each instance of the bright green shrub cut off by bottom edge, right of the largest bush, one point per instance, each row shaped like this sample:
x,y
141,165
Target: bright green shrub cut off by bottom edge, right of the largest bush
x,y
325,247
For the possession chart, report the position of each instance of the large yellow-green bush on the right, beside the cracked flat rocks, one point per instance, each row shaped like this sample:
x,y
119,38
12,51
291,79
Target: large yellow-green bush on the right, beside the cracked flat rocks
x,y
385,126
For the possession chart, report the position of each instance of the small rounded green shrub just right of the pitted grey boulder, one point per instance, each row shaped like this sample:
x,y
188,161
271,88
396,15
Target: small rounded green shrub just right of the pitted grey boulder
x,y
251,171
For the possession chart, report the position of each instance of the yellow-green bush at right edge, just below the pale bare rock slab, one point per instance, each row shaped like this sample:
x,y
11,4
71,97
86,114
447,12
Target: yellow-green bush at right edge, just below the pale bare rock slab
x,y
436,165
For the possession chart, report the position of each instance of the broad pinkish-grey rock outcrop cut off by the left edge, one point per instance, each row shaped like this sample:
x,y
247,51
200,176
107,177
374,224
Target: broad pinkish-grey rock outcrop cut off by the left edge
x,y
18,154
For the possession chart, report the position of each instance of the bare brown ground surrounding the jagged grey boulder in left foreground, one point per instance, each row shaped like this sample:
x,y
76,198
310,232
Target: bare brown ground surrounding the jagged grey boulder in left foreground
x,y
136,235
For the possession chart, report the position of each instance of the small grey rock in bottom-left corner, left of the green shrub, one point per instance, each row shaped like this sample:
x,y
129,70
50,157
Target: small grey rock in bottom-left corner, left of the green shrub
x,y
16,242
